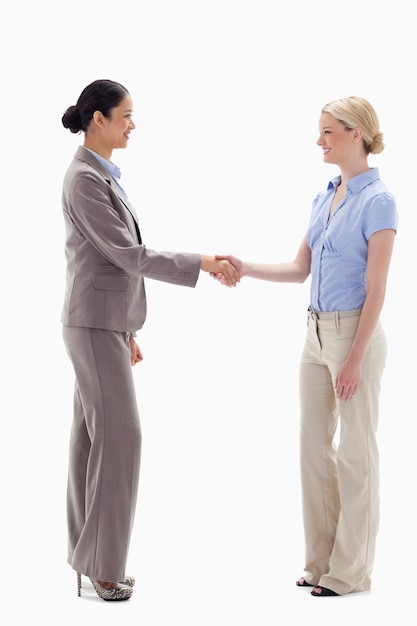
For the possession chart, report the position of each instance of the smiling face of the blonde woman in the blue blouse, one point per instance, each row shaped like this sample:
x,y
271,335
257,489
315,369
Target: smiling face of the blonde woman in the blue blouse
x,y
335,140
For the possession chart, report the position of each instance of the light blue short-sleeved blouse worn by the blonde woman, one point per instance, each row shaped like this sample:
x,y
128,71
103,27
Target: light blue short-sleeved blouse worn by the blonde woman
x,y
339,245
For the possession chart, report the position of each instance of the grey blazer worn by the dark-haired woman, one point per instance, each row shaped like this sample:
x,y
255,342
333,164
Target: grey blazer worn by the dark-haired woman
x,y
106,261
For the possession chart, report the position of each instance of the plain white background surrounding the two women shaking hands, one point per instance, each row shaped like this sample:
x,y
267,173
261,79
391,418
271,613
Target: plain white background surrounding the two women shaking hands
x,y
227,96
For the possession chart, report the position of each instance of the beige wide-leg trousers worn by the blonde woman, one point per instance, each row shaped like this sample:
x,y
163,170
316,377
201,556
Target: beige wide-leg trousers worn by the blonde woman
x,y
339,460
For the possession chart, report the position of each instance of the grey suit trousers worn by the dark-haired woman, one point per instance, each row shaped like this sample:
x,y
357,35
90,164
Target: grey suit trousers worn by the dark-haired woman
x,y
104,453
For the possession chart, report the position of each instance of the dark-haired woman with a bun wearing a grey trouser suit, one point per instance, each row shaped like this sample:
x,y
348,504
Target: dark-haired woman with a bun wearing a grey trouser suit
x,y
104,306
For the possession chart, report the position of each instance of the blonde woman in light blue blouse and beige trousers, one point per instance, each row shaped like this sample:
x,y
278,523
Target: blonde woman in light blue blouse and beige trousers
x,y
347,252
